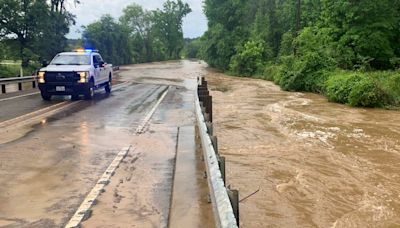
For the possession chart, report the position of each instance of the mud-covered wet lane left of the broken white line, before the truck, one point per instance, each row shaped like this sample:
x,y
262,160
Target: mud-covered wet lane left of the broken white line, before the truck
x,y
45,173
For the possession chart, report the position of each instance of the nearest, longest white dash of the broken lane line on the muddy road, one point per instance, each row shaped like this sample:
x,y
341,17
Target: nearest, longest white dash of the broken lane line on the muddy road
x,y
84,209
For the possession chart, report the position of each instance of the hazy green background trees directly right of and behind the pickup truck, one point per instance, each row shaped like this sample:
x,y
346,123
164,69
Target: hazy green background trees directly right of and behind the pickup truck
x,y
139,35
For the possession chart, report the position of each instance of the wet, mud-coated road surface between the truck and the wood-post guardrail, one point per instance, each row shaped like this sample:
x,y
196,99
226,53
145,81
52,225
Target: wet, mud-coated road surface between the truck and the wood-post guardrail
x,y
50,160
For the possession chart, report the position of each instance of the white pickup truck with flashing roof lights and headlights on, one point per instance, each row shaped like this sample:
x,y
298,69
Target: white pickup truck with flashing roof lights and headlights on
x,y
75,73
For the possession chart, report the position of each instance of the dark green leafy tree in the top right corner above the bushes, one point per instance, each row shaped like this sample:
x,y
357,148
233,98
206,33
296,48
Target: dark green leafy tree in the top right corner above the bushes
x,y
363,30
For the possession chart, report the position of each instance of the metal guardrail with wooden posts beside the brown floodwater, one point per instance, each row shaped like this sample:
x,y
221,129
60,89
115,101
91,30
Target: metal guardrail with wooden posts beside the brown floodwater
x,y
225,202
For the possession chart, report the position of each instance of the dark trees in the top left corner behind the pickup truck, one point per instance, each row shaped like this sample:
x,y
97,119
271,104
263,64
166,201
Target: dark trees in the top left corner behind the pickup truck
x,y
33,30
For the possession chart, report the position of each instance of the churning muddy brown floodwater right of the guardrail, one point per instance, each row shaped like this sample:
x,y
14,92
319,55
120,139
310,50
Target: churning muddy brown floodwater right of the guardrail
x,y
317,164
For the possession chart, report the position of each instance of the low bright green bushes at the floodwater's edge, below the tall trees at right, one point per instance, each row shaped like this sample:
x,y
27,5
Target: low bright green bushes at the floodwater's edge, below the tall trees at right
x,y
355,88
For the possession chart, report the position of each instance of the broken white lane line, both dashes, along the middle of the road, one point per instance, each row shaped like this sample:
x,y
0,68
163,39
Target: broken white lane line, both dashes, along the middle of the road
x,y
84,210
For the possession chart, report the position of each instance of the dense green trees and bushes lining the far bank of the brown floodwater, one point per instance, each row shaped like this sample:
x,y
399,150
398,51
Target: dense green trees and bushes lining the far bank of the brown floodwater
x,y
331,47
